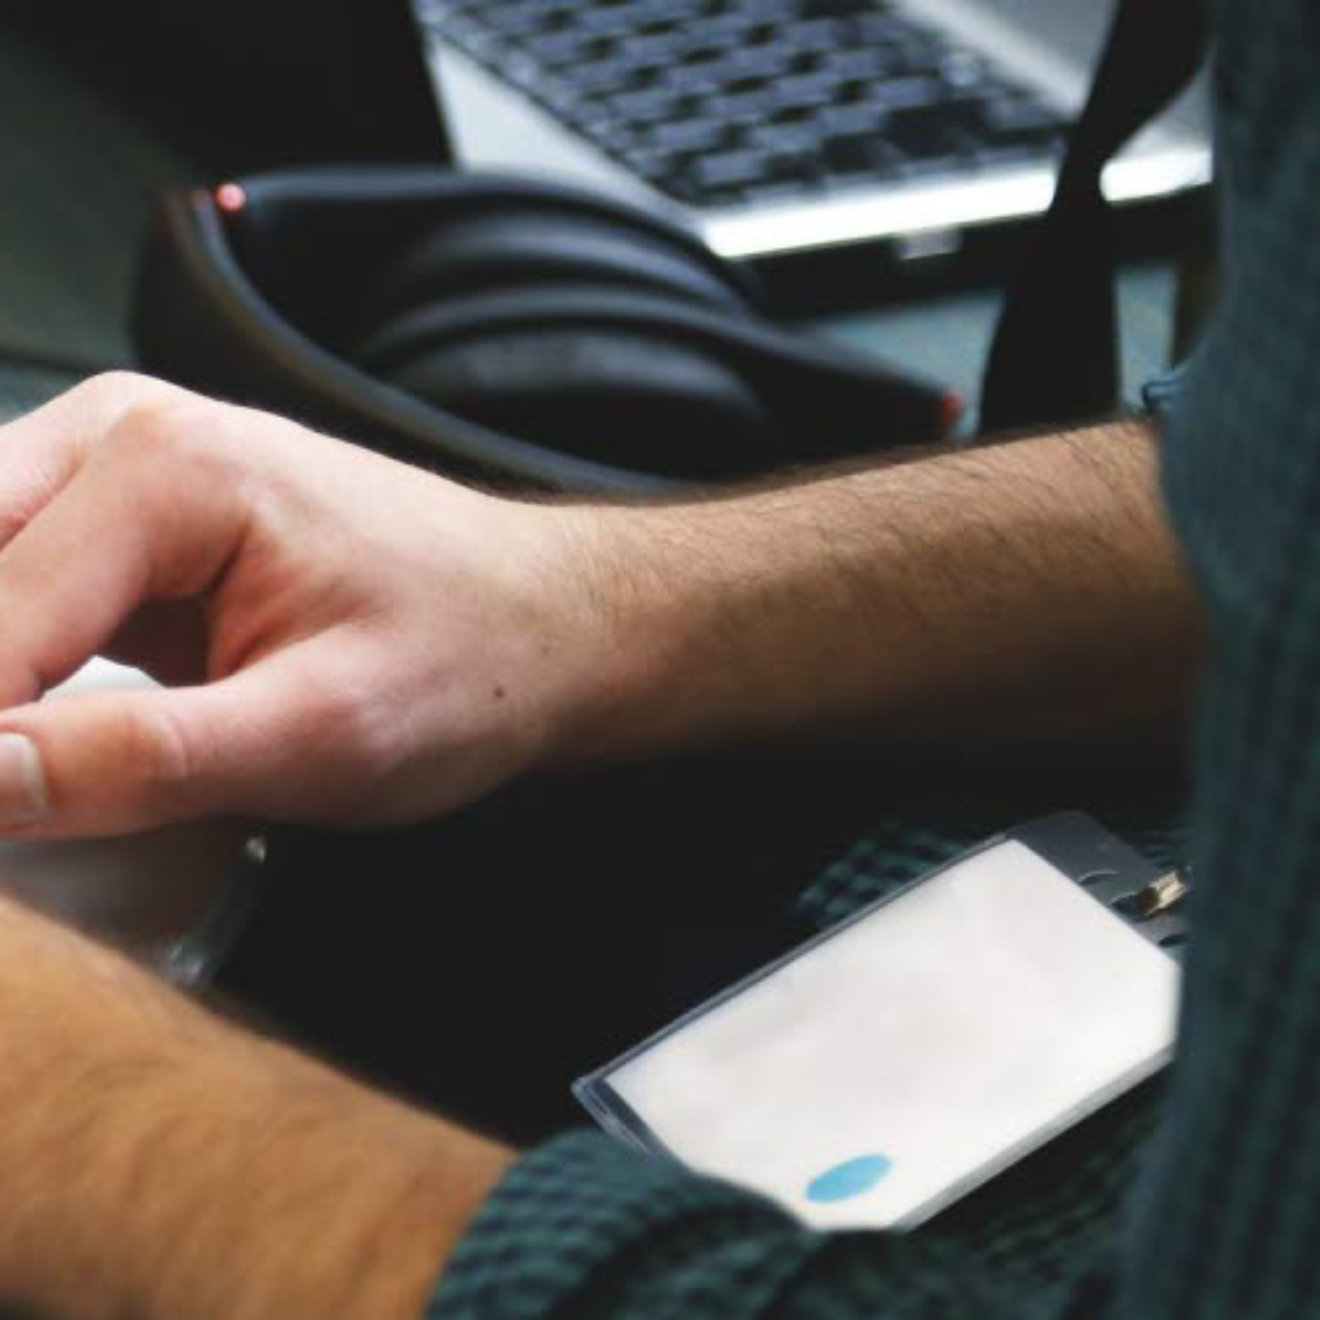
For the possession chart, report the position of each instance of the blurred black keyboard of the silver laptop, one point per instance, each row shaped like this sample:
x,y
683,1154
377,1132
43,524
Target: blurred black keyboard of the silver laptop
x,y
732,102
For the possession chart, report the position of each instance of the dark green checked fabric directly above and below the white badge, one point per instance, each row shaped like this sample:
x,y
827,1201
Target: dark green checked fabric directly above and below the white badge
x,y
587,1227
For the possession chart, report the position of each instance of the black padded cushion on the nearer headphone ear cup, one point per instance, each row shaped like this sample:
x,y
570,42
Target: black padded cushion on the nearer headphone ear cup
x,y
595,394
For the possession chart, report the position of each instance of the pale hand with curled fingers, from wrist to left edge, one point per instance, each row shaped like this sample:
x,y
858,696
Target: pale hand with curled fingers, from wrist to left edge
x,y
344,638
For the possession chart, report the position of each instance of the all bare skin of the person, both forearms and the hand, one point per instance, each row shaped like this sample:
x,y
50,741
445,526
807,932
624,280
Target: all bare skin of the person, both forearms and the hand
x,y
350,641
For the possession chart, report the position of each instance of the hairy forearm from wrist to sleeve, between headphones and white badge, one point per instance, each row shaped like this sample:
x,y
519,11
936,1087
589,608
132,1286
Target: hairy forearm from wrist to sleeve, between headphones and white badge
x,y
1006,597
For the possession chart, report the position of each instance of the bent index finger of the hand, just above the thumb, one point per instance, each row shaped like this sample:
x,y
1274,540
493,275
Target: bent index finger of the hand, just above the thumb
x,y
138,521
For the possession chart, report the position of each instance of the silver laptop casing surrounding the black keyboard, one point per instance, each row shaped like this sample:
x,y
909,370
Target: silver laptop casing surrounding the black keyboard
x,y
1046,46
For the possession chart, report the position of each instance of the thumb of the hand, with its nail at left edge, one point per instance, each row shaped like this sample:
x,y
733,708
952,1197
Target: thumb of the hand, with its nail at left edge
x,y
259,742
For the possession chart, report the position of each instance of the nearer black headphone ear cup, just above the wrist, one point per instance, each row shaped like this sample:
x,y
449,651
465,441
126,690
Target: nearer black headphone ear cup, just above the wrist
x,y
543,361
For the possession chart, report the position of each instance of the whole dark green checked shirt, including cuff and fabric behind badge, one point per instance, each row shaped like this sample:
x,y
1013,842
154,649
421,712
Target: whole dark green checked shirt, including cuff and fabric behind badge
x,y
1202,1203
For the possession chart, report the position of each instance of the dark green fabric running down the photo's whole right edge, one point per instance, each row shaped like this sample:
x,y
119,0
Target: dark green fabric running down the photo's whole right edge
x,y
1230,1219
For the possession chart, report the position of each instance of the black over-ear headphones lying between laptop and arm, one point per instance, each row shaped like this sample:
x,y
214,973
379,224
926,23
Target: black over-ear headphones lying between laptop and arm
x,y
514,332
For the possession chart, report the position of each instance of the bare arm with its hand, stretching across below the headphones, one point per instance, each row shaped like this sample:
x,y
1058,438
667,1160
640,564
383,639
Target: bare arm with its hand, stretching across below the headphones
x,y
350,640
